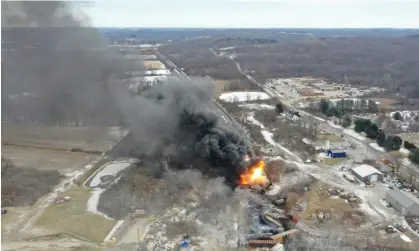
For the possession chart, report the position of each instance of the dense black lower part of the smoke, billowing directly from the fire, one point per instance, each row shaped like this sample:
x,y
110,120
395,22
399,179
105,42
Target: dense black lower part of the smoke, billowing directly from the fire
x,y
177,122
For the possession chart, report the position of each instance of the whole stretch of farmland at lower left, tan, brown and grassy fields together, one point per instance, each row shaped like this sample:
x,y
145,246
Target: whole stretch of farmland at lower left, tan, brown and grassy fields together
x,y
36,159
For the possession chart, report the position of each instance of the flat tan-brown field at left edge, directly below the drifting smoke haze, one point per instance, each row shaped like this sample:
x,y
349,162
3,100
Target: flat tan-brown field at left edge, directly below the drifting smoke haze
x,y
49,148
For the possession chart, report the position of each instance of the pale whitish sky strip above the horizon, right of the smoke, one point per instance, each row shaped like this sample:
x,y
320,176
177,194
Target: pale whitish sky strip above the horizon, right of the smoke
x,y
255,13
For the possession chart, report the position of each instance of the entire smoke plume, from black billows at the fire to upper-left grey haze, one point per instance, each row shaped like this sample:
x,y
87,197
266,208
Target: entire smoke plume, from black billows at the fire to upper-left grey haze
x,y
56,71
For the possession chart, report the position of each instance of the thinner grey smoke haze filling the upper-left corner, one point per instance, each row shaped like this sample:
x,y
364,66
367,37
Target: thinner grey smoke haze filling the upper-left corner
x,y
53,68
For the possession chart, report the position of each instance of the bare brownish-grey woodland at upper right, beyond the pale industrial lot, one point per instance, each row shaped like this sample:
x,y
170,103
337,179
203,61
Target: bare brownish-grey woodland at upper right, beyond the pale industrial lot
x,y
383,62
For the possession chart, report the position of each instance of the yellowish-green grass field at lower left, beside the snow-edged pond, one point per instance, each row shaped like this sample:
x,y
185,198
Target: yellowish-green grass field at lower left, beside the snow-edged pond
x,y
73,217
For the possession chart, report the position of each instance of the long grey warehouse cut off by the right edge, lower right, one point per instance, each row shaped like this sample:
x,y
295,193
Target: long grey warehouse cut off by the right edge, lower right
x,y
405,203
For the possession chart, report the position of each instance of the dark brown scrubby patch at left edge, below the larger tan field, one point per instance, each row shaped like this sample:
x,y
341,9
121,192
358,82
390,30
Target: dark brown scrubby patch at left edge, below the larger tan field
x,y
24,186
